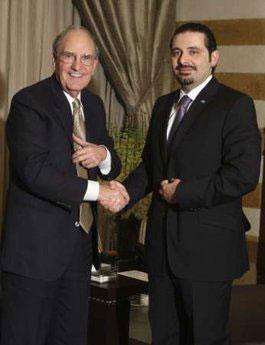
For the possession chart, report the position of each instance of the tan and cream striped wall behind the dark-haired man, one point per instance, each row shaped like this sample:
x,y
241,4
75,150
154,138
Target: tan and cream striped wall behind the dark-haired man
x,y
239,26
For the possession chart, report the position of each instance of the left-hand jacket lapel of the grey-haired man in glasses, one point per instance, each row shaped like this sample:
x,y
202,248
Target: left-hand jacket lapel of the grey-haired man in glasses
x,y
62,108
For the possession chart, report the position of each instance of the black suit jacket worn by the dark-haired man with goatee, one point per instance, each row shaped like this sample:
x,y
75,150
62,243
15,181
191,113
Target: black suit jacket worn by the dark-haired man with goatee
x,y
216,153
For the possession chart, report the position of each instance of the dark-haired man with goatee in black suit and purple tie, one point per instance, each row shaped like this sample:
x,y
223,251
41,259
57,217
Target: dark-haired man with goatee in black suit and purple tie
x,y
202,154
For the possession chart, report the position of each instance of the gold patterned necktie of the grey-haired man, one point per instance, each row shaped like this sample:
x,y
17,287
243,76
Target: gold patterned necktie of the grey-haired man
x,y
79,129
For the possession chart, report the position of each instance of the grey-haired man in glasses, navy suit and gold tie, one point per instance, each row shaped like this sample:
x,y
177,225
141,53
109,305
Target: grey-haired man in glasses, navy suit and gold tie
x,y
58,143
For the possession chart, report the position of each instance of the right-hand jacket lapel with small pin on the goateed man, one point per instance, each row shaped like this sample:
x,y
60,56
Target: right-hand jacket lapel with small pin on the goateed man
x,y
200,103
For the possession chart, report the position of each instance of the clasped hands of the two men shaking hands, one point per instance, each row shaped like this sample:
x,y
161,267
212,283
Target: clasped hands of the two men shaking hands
x,y
113,197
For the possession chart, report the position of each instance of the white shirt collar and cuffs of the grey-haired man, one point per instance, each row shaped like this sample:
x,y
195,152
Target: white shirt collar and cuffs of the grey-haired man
x,y
92,191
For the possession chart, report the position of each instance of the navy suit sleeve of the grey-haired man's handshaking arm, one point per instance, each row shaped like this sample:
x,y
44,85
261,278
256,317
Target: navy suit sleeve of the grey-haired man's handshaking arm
x,y
28,137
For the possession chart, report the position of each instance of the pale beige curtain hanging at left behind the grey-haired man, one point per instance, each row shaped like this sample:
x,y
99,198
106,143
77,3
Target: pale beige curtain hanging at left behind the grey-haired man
x,y
27,28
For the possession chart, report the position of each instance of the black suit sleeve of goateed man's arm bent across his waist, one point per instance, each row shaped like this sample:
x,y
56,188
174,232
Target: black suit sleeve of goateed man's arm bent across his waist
x,y
239,170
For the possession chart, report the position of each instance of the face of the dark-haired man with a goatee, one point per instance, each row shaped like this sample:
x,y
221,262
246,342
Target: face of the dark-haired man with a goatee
x,y
191,61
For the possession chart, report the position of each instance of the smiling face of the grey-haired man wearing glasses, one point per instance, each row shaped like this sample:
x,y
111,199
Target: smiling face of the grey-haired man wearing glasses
x,y
74,75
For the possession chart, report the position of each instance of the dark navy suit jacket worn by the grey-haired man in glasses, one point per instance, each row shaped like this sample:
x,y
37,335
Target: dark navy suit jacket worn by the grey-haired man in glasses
x,y
44,191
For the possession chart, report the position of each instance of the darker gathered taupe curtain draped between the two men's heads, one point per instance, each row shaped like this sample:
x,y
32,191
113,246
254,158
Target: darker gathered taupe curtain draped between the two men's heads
x,y
133,36
